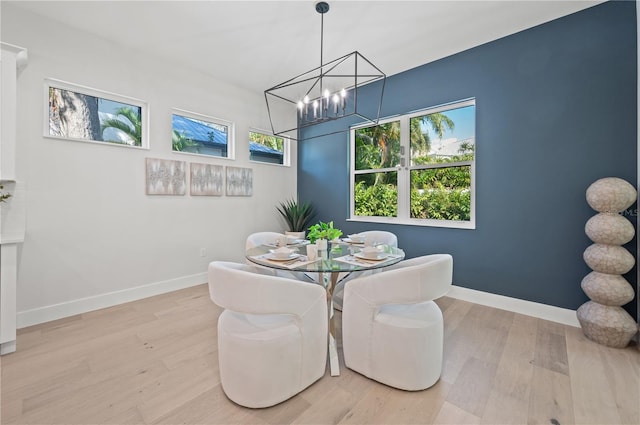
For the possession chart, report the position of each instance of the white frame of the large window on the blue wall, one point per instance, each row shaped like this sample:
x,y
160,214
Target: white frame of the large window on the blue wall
x,y
404,172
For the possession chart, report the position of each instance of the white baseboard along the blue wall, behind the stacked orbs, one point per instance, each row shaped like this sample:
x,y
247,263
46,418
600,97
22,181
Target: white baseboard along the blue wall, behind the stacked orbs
x,y
529,308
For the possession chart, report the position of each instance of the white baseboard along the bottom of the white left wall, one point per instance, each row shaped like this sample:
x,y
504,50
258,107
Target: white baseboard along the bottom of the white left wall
x,y
84,305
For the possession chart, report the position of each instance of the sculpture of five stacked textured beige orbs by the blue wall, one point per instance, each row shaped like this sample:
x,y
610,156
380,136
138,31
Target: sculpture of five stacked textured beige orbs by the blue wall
x,y
603,319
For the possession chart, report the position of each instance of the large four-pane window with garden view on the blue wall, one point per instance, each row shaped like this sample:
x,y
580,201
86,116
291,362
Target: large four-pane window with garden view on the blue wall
x,y
416,169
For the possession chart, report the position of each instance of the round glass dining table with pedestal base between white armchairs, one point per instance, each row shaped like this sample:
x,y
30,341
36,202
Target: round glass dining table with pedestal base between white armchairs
x,y
340,259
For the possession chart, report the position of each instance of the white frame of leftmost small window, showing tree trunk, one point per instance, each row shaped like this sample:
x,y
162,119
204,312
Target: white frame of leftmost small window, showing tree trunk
x,y
102,94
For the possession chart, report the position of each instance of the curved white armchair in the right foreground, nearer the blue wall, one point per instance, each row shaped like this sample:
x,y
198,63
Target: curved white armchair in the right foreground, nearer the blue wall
x,y
392,331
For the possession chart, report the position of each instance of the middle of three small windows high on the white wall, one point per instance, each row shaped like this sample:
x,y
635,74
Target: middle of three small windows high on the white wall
x,y
201,135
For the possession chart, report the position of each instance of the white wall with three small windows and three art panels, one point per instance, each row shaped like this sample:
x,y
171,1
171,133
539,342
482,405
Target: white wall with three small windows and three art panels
x,y
93,237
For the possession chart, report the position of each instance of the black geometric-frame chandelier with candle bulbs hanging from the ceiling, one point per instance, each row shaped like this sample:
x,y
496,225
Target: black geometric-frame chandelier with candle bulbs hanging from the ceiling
x,y
324,94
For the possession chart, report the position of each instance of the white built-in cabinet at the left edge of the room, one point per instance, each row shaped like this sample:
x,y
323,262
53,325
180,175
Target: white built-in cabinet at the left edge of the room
x,y
12,211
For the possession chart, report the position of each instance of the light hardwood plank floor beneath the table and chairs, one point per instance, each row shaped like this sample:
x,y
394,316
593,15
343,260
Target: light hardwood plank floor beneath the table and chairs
x,y
154,361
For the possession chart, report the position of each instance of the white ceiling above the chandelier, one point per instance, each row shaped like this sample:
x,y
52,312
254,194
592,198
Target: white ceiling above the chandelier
x,y
258,44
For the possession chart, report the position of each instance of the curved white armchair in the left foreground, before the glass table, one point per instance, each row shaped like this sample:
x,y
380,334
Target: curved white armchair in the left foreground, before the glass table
x,y
272,335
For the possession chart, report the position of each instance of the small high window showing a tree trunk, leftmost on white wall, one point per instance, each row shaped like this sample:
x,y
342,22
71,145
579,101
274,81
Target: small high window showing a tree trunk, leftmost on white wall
x,y
90,115
